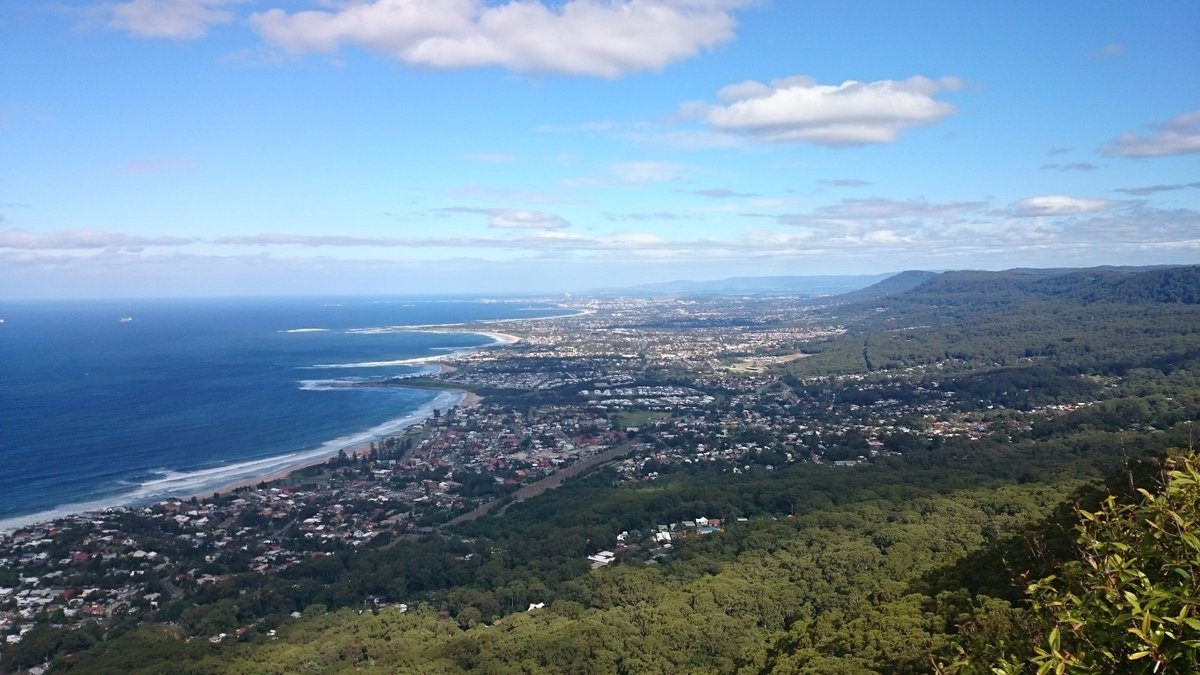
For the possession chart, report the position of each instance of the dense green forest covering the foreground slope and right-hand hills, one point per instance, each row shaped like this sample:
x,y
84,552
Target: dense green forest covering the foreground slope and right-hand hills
x,y
1066,545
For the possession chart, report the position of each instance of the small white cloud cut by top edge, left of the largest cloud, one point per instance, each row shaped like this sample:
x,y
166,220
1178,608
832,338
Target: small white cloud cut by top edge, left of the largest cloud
x,y
172,20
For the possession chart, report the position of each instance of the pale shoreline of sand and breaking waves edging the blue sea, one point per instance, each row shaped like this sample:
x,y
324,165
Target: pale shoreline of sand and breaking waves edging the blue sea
x,y
465,399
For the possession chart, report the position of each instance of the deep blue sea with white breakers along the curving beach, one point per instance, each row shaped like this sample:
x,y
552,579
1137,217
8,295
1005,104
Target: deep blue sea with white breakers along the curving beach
x,y
189,396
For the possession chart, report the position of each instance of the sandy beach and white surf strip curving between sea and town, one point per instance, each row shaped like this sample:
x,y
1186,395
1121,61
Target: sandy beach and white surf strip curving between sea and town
x,y
279,467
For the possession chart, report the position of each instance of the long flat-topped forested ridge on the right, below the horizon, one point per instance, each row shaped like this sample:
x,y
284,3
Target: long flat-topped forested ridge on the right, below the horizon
x,y
1082,321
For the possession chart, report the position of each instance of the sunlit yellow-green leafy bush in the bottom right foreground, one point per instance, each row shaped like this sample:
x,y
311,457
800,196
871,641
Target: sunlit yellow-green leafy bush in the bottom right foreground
x,y
1132,601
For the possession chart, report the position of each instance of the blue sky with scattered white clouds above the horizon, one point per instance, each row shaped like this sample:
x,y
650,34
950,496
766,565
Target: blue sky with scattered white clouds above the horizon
x,y
413,147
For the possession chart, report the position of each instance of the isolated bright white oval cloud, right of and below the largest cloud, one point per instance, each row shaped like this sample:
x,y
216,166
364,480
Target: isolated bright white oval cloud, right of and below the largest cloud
x,y
853,114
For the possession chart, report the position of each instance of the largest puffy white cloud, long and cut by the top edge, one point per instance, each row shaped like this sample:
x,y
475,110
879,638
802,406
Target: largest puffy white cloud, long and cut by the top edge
x,y
595,38
